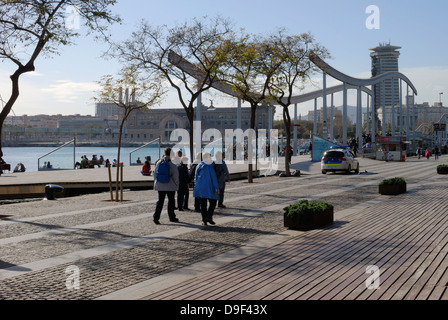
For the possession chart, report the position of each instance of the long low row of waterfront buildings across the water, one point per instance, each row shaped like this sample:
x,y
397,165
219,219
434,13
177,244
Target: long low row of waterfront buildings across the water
x,y
143,125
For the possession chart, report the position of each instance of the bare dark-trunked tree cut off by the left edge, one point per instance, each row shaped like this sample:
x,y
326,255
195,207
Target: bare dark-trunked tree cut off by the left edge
x,y
31,28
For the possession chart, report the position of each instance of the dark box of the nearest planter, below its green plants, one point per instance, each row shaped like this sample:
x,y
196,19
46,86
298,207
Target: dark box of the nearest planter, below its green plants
x,y
309,221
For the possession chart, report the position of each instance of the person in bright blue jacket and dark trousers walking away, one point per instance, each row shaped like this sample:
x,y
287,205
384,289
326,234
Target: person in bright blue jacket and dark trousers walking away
x,y
206,188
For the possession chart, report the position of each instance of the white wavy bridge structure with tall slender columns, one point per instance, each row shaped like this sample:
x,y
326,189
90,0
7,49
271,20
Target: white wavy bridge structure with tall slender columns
x,y
406,123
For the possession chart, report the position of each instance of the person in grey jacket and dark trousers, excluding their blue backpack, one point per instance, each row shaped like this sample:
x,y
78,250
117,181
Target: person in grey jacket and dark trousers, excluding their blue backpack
x,y
166,189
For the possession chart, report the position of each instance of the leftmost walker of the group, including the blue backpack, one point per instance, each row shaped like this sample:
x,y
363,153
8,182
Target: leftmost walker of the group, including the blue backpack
x,y
166,183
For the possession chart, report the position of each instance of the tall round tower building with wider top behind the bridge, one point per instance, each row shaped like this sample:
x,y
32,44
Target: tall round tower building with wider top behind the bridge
x,y
385,59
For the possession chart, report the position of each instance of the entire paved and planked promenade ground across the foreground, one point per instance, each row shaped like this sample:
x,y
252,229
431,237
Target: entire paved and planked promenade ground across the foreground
x,y
249,255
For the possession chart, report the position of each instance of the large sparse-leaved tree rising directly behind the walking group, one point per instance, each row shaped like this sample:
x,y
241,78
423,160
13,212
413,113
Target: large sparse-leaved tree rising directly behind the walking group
x,y
163,50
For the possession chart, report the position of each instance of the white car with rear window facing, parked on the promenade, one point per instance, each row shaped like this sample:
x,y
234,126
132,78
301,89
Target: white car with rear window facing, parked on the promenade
x,y
339,159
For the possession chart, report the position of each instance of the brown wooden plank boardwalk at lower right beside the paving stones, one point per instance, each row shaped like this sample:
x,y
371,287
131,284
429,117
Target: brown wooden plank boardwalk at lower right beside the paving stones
x,y
405,237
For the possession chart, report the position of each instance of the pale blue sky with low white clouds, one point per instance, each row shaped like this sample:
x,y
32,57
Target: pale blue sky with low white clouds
x,y
66,83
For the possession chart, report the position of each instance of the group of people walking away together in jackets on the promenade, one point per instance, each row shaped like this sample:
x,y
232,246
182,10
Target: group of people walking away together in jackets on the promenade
x,y
207,177
